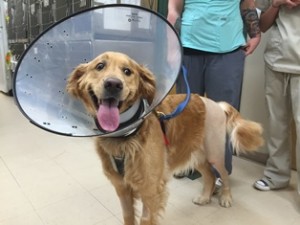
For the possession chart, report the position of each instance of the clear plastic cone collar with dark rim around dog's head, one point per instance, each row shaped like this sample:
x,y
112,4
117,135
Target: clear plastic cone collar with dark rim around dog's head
x,y
42,72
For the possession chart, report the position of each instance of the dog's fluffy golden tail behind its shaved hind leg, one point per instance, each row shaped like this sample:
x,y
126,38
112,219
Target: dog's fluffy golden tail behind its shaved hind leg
x,y
245,135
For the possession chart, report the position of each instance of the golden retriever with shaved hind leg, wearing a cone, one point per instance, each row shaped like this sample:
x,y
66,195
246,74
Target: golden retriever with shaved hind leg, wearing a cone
x,y
108,86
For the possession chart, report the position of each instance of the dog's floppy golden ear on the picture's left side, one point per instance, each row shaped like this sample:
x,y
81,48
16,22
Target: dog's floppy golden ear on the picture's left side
x,y
74,78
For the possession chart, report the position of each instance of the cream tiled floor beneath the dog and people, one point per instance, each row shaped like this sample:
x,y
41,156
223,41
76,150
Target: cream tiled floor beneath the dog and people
x,y
46,179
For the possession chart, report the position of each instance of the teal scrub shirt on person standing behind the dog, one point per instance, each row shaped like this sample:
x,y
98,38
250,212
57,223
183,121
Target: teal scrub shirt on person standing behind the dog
x,y
212,25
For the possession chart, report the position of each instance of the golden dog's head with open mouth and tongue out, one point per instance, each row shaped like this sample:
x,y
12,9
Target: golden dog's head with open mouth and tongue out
x,y
109,85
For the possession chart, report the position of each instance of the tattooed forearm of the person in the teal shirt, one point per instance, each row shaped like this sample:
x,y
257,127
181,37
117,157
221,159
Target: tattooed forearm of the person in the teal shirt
x,y
251,22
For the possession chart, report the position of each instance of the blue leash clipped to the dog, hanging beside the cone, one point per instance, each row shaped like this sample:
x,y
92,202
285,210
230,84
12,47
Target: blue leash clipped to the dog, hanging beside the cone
x,y
183,104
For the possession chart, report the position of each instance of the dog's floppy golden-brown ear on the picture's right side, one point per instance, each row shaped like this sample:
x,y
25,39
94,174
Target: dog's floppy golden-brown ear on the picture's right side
x,y
147,84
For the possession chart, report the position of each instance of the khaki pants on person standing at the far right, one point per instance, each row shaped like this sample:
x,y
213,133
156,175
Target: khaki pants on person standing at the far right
x,y
283,103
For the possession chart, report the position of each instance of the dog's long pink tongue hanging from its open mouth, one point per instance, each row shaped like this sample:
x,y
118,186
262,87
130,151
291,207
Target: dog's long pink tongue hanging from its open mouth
x,y
108,116
